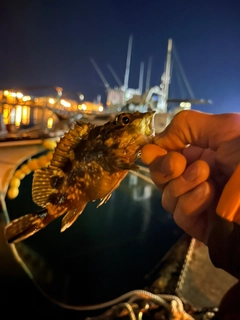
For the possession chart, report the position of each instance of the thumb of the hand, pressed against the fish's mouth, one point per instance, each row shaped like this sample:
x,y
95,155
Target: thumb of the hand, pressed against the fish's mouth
x,y
200,129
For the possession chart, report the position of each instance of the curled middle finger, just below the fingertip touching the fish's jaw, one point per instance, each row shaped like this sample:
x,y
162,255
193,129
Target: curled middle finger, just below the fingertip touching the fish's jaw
x,y
166,168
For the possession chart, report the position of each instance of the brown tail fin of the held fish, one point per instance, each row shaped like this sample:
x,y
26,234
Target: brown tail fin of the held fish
x,y
23,227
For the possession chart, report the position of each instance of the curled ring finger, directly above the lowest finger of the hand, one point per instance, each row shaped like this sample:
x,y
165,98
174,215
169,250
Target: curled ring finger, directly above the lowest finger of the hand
x,y
193,176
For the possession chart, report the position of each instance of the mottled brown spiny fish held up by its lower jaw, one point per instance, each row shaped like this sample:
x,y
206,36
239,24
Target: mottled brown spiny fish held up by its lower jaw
x,y
88,164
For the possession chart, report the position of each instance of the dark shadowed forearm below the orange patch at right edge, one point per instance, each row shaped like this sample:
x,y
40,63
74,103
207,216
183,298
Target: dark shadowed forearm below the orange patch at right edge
x,y
224,246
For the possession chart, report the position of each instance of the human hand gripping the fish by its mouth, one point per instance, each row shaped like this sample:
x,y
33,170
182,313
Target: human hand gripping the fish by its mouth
x,y
191,162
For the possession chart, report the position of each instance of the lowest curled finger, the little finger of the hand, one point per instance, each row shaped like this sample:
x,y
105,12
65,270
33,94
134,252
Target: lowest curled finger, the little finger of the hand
x,y
190,212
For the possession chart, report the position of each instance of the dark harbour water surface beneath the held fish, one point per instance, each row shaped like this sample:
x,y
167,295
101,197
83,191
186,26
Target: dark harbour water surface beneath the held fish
x,y
106,252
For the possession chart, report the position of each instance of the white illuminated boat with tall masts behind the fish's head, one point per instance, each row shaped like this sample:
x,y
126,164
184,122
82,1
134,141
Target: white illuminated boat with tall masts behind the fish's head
x,y
123,98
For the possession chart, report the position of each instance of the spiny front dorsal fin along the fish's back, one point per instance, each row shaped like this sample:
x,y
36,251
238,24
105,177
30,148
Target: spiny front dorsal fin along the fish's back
x,y
63,151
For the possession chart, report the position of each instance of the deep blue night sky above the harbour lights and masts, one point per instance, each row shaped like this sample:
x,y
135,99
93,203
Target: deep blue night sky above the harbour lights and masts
x,y
51,43
